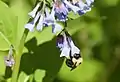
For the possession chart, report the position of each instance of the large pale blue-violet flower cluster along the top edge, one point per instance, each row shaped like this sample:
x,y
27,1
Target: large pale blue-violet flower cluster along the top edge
x,y
42,16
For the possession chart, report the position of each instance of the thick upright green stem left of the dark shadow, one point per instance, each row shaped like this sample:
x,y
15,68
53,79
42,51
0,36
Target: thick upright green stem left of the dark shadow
x,y
18,56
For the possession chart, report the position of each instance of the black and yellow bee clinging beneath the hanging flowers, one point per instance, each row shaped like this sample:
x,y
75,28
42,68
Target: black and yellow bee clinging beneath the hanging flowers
x,y
74,61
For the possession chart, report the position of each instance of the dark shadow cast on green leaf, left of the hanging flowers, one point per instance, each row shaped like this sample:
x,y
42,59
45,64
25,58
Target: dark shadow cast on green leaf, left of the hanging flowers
x,y
45,56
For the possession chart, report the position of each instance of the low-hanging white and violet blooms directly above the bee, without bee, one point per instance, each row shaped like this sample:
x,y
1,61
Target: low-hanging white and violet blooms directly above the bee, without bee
x,y
66,45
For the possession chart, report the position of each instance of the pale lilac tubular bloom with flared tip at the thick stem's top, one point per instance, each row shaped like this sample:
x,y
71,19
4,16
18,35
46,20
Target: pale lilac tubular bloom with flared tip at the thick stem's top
x,y
30,26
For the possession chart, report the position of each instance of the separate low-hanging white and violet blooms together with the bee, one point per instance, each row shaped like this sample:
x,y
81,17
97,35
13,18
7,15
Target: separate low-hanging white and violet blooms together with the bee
x,y
68,50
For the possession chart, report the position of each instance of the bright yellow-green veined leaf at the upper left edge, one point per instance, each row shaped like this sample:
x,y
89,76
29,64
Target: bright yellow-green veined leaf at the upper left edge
x,y
8,24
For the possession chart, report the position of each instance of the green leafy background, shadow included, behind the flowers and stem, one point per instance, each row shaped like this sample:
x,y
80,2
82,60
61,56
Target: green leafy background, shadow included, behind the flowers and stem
x,y
96,33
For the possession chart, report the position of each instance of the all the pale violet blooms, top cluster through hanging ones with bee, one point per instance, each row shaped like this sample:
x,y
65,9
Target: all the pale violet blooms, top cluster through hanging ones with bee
x,y
43,15
